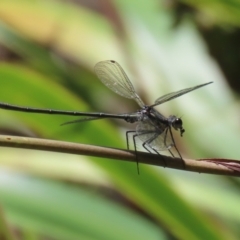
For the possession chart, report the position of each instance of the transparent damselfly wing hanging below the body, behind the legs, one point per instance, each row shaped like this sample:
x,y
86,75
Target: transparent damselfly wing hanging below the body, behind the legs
x,y
155,138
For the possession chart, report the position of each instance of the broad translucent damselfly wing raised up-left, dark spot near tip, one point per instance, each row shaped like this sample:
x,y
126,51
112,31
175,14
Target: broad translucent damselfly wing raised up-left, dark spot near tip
x,y
113,76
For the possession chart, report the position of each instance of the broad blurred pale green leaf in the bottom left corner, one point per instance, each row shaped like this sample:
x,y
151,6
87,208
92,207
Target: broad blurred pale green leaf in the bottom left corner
x,y
66,212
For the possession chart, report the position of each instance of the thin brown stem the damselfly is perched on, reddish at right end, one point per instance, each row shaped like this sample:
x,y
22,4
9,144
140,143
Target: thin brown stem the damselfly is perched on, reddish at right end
x,y
212,166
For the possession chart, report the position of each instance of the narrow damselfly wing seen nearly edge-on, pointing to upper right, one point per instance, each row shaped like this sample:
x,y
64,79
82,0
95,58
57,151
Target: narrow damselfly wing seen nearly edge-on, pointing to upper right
x,y
173,95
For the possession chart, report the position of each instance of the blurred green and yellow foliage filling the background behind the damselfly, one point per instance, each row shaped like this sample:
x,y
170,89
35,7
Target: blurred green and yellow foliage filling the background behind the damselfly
x,y
48,49
